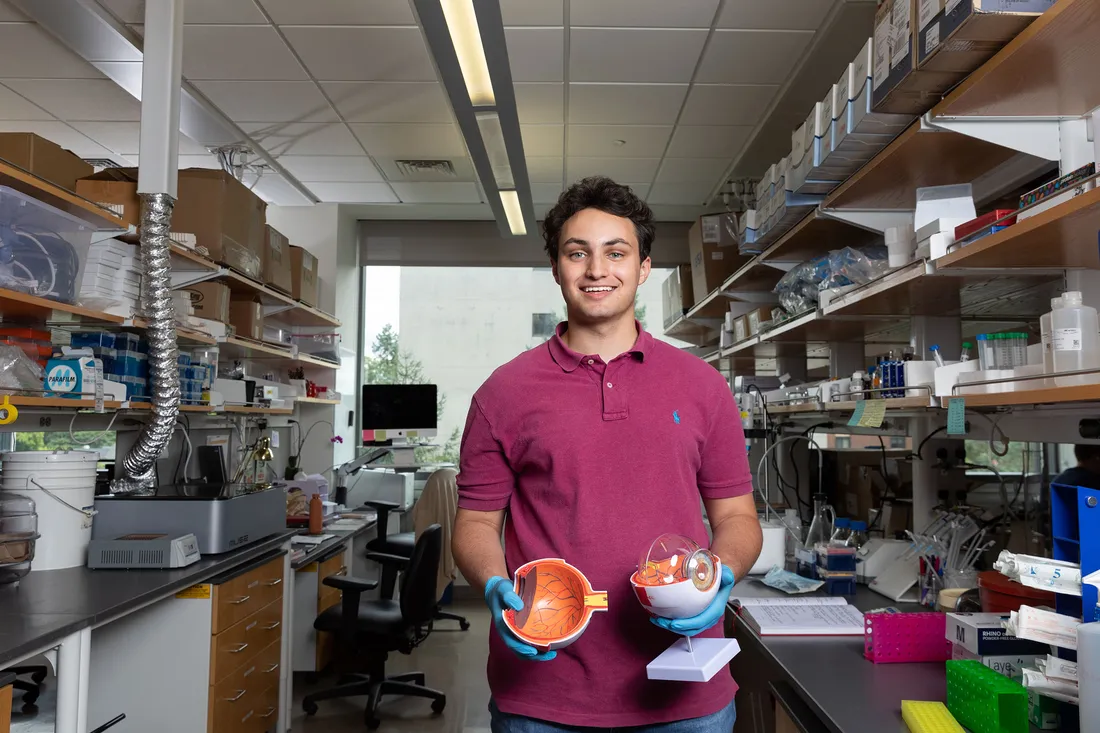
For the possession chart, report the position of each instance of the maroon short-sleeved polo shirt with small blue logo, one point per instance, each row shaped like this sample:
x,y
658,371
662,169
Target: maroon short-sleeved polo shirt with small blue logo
x,y
593,462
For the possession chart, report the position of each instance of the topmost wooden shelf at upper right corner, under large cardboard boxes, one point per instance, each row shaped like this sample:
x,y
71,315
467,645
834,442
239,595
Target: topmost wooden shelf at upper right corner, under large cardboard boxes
x,y
1049,71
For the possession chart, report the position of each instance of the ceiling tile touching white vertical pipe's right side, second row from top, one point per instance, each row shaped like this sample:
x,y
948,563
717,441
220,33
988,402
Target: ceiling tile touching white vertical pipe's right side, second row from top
x,y
239,53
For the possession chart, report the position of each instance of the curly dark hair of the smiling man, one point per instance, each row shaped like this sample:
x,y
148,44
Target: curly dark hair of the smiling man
x,y
604,194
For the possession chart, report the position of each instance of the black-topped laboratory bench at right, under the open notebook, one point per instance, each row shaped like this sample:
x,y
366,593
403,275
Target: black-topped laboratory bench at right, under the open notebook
x,y
823,683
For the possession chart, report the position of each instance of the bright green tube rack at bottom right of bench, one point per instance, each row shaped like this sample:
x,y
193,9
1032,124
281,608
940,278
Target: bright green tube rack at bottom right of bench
x,y
984,701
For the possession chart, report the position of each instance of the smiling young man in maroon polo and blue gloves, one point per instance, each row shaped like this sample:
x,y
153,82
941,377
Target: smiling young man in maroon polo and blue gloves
x,y
593,445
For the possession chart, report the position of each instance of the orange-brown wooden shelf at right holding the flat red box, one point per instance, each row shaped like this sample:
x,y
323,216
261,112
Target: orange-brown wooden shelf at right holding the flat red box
x,y
1064,236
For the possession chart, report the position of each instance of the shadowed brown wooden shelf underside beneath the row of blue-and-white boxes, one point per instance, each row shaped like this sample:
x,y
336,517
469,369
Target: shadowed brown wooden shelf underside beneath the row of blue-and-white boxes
x,y
918,158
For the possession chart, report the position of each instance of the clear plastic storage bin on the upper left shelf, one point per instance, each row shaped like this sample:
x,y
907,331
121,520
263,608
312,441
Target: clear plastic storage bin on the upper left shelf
x,y
46,248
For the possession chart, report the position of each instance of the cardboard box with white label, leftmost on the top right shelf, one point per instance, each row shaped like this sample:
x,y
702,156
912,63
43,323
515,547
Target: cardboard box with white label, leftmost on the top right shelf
x,y
898,86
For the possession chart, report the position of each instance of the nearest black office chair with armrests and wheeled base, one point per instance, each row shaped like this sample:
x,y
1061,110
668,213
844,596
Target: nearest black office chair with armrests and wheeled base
x,y
369,631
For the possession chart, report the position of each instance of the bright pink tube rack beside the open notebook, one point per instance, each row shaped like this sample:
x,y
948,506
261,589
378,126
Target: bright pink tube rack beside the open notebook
x,y
895,638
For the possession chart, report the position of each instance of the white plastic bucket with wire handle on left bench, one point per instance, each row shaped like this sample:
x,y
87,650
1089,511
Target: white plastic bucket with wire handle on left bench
x,y
63,487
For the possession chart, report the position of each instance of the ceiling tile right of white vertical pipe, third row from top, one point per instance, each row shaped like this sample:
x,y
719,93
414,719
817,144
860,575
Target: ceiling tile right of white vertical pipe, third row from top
x,y
269,102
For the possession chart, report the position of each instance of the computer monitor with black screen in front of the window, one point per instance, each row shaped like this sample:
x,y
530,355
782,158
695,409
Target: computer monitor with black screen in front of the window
x,y
400,413
